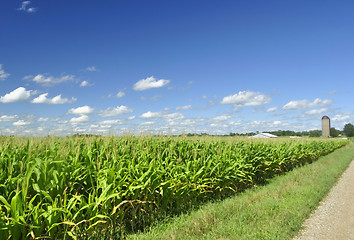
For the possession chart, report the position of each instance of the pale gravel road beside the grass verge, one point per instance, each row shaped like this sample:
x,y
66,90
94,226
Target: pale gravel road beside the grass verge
x,y
334,218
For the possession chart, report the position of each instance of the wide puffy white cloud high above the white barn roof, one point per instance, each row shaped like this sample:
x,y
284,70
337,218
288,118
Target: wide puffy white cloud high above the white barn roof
x,y
246,98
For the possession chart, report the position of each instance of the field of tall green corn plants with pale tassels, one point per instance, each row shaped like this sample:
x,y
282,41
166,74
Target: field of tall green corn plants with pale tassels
x,y
103,187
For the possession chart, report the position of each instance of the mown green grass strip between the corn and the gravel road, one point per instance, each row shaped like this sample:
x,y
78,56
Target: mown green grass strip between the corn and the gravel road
x,y
274,211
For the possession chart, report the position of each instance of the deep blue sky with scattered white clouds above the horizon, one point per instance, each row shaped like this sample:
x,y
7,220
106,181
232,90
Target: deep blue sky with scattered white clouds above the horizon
x,y
163,66
